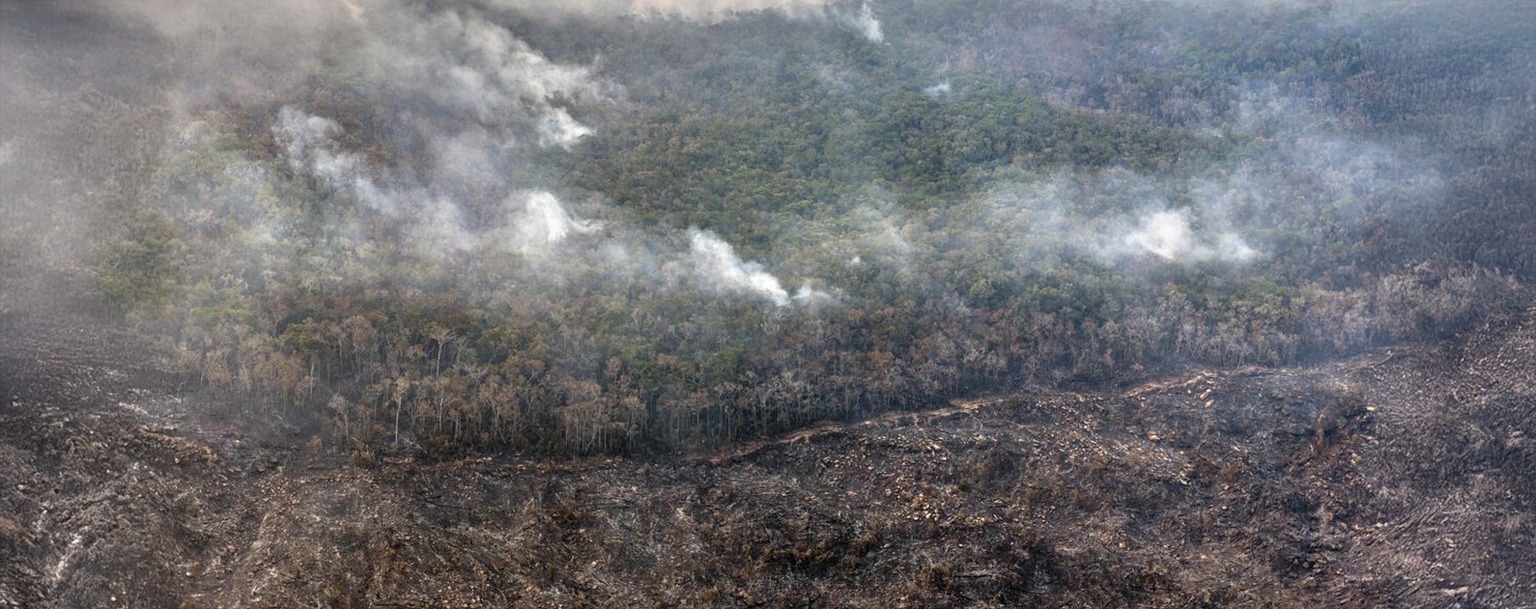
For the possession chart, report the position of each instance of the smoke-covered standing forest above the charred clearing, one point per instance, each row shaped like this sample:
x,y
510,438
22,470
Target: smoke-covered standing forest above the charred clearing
x,y
480,227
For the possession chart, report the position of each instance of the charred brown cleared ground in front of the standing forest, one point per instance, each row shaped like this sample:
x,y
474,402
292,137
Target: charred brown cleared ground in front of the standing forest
x,y
1402,479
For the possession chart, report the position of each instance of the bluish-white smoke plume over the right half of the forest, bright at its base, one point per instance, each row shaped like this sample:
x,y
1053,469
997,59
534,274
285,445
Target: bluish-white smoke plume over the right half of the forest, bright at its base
x,y
1306,175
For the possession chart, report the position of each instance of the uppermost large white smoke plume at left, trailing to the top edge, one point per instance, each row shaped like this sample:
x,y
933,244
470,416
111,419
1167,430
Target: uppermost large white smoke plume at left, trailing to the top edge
x,y
471,68
